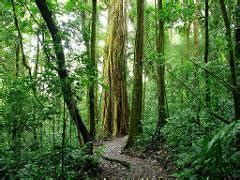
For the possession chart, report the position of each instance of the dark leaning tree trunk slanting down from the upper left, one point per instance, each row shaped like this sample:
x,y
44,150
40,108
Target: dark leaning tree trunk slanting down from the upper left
x,y
66,85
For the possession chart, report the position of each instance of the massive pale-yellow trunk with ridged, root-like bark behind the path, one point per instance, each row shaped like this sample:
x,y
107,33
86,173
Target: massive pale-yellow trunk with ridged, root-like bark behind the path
x,y
115,104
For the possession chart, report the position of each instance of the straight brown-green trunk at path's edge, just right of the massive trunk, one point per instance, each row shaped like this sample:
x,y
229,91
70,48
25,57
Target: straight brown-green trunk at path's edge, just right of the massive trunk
x,y
137,93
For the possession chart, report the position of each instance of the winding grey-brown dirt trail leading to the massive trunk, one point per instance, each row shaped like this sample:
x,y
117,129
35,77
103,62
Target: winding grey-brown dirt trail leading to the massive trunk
x,y
139,168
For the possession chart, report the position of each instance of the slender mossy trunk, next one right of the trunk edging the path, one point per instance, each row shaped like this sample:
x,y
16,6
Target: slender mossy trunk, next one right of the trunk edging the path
x,y
161,75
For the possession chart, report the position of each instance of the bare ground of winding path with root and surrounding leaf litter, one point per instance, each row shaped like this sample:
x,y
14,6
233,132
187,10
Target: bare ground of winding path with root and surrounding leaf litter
x,y
116,164
